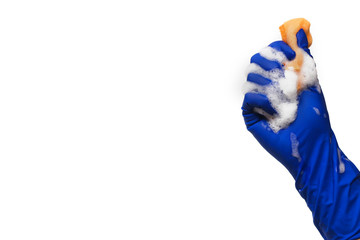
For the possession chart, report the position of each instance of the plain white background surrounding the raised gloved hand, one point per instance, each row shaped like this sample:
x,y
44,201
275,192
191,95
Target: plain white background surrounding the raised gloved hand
x,y
122,119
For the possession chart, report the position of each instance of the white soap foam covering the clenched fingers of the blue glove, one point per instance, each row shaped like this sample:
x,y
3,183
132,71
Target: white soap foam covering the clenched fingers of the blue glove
x,y
282,92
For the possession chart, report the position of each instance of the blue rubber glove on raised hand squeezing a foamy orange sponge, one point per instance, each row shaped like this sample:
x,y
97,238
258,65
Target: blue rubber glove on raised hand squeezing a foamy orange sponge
x,y
325,178
